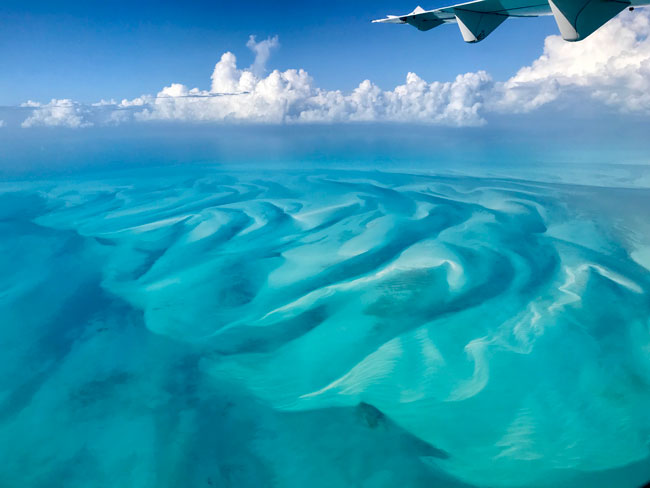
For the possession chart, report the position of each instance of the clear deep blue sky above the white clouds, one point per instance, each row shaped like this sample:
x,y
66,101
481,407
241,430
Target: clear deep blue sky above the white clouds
x,y
89,50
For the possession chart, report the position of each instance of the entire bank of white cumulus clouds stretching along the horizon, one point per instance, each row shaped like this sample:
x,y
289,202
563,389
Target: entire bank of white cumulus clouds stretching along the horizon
x,y
612,67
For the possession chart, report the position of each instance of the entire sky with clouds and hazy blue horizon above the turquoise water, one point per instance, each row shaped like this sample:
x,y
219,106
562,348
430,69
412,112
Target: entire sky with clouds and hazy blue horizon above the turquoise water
x,y
144,81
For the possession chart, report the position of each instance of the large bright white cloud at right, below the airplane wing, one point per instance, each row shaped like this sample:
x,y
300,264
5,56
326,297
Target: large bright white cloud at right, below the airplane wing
x,y
611,66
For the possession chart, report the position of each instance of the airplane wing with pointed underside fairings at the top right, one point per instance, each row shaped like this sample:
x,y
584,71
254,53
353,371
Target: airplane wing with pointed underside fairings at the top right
x,y
576,19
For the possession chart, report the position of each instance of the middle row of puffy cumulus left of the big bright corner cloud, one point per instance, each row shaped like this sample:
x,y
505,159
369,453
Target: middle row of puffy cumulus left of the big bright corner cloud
x,y
290,97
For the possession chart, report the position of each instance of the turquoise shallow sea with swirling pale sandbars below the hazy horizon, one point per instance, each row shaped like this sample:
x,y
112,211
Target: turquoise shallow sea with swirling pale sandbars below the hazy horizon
x,y
198,327
